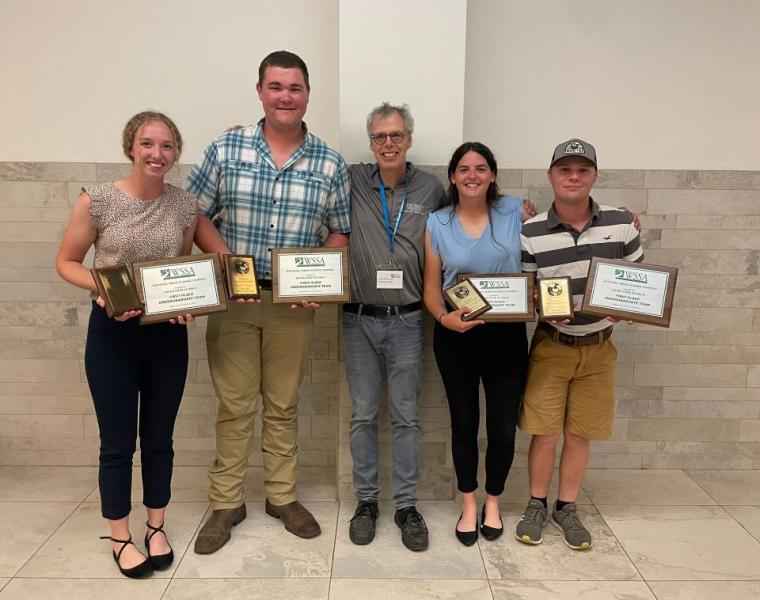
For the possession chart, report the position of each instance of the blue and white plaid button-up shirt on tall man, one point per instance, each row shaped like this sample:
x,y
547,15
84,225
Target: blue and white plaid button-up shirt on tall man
x,y
257,207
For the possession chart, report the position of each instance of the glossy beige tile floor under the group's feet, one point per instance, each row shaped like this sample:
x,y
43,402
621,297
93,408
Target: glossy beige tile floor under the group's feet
x,y
658,535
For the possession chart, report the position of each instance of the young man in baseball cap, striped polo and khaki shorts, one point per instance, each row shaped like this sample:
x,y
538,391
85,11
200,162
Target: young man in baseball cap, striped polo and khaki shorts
x,y
569,391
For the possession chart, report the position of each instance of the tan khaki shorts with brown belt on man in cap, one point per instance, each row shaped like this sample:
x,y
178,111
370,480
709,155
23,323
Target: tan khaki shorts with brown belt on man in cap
x,y
569,388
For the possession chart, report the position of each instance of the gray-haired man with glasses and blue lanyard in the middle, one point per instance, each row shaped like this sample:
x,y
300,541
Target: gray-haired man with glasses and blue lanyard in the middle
x,y
382,326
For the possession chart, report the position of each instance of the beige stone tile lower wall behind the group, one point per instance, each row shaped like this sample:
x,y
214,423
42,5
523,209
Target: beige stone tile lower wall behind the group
x,y
688,397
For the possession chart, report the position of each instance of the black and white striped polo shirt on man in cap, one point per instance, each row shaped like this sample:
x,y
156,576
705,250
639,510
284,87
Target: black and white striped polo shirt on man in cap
x,y
551,248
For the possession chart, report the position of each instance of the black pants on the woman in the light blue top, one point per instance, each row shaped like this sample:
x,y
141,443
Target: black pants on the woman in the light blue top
x,y
497,354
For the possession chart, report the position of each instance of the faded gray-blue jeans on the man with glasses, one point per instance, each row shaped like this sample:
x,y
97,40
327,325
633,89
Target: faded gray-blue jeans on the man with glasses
x,y
395,343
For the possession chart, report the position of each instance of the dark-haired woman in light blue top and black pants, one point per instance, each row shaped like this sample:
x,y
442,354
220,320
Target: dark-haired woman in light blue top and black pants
x,y
478,233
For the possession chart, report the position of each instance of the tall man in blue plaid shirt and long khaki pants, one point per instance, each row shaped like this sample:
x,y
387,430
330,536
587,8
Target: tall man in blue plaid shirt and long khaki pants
x,y
270,185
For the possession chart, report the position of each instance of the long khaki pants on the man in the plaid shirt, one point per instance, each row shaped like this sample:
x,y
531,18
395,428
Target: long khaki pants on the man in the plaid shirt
x,y
256,348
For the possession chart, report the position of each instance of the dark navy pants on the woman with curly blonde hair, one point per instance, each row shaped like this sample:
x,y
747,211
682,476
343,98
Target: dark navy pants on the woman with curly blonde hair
x,y
122,361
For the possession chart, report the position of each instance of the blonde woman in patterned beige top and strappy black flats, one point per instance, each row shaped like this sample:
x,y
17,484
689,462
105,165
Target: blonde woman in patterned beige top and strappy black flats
x,y
129,366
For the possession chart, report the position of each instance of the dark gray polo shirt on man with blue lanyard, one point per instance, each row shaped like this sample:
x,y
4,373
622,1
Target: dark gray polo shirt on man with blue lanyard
x,y
368,244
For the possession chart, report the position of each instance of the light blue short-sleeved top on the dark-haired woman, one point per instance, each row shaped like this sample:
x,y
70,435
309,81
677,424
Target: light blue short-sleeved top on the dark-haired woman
x,y
497,250
